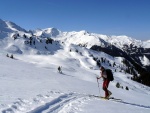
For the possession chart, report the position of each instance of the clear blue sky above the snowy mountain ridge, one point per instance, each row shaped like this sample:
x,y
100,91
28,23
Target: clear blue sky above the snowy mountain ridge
x,y
109,17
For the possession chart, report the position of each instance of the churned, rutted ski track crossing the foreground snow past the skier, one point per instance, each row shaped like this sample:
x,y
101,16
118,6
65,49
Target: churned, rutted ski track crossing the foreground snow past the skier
x,y
56,102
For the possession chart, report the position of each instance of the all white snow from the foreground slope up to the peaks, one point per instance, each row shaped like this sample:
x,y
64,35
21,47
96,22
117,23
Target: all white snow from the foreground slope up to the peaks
x,y
31,83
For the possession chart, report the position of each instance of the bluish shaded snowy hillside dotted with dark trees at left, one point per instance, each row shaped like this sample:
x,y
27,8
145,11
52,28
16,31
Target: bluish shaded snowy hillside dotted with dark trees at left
x,y
29,45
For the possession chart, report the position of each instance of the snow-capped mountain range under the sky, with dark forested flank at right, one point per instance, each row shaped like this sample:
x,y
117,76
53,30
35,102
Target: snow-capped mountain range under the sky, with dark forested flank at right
x,y
16,40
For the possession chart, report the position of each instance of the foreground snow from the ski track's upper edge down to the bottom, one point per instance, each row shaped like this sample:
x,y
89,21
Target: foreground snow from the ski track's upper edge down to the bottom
x,y
58,102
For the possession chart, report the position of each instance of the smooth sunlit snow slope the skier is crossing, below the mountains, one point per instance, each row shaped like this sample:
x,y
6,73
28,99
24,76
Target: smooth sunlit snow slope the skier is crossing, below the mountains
x,y
31,83
